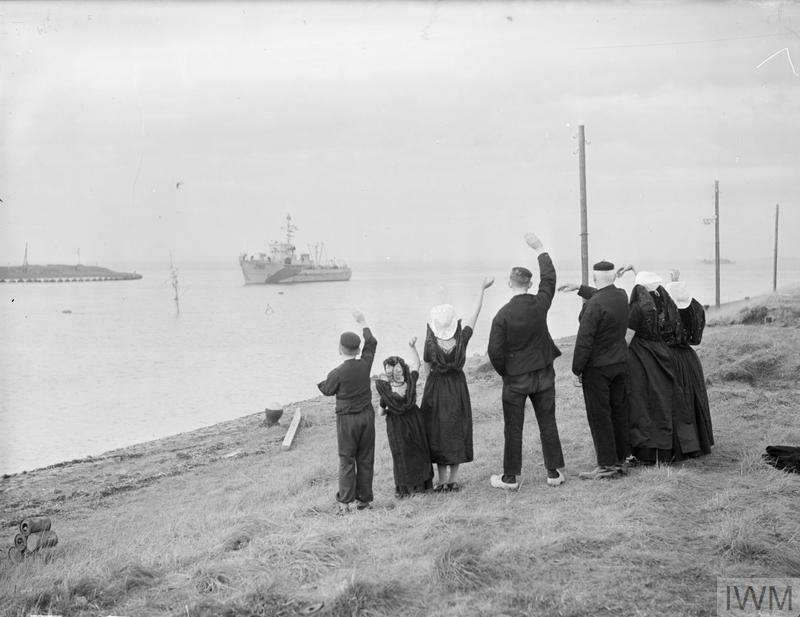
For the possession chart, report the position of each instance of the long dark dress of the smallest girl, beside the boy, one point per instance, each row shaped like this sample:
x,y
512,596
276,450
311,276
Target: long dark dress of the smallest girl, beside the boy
x,y
405,429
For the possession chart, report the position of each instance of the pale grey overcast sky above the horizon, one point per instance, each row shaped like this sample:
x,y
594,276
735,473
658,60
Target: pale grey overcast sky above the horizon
x,y
402,130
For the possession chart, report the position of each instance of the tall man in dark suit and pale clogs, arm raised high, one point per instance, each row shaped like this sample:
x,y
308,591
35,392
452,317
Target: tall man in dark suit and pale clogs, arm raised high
x,y
522,351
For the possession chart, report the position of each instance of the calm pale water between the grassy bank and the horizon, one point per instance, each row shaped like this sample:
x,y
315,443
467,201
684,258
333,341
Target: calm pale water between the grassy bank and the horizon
x,y
123,368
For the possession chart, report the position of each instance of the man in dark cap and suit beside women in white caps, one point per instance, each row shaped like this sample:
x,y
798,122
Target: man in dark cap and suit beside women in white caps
x,y
600,363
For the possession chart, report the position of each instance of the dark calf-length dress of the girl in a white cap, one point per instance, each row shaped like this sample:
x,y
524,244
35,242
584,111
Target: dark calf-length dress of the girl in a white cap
x,y
445,402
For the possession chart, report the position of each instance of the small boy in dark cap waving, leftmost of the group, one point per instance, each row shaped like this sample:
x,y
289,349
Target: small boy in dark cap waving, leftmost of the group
x,y
350,382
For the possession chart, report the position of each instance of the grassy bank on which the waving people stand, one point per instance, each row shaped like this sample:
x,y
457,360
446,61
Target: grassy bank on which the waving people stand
x,y
223,522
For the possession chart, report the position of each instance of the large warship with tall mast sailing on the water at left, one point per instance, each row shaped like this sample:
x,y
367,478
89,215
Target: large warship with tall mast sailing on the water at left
x,y
282,264
